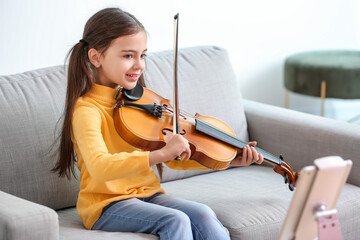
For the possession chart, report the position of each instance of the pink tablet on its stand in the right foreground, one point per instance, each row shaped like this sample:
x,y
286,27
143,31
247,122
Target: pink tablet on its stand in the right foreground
x,y
312,213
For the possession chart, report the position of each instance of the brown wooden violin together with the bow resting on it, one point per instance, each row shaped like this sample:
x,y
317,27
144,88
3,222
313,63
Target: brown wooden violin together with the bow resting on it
x,y
212,142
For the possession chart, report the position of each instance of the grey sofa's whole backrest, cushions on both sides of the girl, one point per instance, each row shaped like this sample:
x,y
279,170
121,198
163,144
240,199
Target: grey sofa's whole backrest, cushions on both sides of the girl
x,y
32,103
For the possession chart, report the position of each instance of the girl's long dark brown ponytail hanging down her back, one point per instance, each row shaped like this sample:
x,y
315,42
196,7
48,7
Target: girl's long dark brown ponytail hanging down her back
x,y
79,81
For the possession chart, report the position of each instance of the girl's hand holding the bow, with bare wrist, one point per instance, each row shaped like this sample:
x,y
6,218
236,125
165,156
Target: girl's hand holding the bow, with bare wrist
x,y
177,145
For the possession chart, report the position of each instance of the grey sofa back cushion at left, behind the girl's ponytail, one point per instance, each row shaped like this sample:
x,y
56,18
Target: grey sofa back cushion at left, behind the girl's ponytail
x,y
31,105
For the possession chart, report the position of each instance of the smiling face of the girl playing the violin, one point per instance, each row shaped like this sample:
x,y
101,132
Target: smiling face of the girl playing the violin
x,y
123,62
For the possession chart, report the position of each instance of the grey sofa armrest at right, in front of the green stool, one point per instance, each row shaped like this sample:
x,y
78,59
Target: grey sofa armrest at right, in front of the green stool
x,y
301,138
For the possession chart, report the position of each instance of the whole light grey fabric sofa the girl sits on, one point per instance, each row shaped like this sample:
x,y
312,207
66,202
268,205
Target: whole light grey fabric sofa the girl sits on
x,y
251,201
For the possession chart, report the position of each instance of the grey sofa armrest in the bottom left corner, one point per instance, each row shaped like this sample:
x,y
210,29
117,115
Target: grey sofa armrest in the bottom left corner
x,y
22,219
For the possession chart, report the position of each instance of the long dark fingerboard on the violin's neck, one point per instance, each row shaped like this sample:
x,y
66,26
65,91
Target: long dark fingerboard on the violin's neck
x,y
211,131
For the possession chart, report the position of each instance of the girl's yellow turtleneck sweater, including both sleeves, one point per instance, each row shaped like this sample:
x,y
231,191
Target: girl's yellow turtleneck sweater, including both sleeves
x,y
110,168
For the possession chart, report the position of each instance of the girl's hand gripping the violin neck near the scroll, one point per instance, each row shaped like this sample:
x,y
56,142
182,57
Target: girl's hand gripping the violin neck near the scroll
x,y
249,156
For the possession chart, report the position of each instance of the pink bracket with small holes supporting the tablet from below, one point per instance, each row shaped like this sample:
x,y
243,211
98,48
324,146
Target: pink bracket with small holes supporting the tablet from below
x,y
328,224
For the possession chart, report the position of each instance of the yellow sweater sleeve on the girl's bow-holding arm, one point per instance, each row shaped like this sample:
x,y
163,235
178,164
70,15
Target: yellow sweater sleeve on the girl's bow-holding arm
x,y
91,147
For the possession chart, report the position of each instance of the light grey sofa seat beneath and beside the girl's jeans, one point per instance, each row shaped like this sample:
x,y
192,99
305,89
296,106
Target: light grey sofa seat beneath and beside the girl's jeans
x,y
248,212
